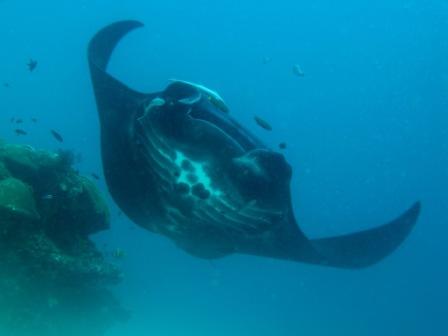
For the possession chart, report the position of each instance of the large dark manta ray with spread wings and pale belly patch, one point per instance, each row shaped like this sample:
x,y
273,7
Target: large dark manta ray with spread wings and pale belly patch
x,y
178,164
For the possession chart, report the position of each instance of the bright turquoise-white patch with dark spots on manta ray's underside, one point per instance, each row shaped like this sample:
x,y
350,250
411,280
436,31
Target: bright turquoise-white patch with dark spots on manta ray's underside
x,y
193,174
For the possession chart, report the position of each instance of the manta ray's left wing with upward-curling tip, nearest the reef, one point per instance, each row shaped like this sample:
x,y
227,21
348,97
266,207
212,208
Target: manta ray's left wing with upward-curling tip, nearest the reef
x,y
117,106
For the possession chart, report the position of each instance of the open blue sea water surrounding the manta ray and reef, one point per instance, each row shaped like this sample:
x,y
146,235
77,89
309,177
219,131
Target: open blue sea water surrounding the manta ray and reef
x,y
366,130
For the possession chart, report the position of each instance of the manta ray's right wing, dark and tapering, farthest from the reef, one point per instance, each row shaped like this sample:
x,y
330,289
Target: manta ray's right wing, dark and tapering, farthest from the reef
x,y
356,250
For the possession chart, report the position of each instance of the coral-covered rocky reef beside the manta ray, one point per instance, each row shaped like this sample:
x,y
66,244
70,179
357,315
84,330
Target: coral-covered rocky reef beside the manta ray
x,y
53,280
